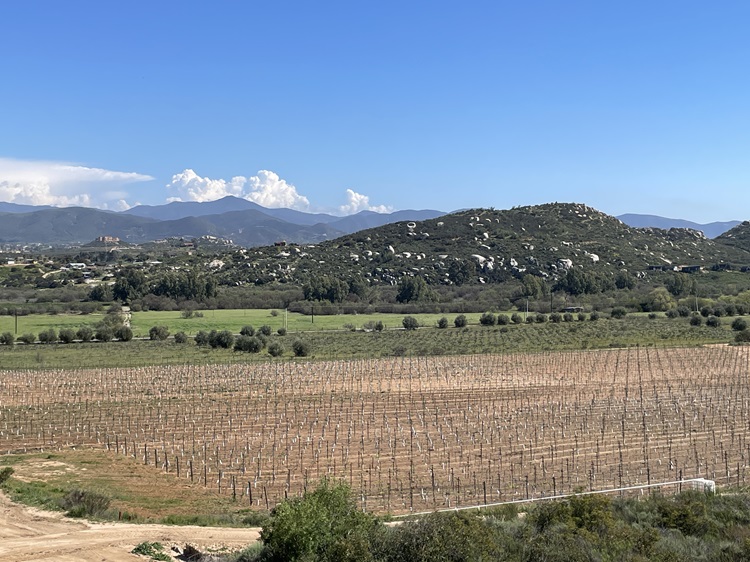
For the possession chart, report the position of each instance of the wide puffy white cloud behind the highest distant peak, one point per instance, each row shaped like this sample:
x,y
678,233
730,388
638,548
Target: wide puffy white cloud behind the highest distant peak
x,y
266,189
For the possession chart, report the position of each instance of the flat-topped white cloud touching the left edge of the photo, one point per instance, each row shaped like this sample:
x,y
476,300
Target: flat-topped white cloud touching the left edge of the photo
x,y
61,184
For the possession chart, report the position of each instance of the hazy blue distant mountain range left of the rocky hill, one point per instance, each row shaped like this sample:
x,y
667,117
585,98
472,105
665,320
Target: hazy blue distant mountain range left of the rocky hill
x,y
244,222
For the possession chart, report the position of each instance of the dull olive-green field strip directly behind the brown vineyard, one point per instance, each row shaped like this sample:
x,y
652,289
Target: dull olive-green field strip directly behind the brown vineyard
x,y
340,343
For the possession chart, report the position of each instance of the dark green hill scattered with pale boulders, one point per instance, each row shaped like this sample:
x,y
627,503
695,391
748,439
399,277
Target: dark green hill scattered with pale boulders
x,y
486,245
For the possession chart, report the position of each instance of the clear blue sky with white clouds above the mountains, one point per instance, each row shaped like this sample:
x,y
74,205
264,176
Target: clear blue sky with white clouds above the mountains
x,y
340,106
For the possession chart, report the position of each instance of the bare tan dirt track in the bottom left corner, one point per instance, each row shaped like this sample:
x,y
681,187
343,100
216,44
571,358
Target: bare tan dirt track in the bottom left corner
x,y
30,534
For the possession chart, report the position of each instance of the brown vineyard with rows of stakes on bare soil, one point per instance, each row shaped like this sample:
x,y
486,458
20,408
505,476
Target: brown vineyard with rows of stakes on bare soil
x,y
408,433
